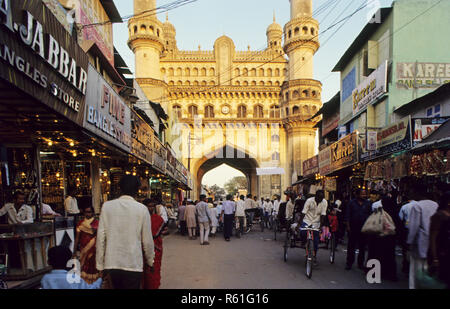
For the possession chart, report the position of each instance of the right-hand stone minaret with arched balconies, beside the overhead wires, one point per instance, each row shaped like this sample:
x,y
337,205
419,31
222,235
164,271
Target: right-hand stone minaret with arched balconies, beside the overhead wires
x,y
301,94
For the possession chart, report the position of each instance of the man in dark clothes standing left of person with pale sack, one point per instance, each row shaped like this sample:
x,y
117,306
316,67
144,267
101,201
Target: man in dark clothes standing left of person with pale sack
x,y
356,214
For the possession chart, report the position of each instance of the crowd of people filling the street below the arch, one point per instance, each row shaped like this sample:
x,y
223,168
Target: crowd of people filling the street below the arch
x,y
123,249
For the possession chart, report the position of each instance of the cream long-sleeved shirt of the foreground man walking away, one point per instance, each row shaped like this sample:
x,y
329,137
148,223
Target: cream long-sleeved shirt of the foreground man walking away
x,y
124,237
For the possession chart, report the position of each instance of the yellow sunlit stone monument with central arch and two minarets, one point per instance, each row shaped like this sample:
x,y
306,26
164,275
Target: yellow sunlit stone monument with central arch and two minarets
x,y
249,109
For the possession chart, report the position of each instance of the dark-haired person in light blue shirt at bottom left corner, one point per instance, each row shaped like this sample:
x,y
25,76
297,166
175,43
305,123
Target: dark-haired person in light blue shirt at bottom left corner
x,y
59,278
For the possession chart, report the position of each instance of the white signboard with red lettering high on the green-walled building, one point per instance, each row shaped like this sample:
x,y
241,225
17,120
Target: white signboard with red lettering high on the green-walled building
x,y
370,89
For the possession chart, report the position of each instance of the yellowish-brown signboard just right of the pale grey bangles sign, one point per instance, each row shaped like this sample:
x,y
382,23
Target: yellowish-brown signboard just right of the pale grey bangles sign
x,y
141,138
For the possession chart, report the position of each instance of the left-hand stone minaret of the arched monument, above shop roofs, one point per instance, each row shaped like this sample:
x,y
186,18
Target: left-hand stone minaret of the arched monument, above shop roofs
x,y
146,40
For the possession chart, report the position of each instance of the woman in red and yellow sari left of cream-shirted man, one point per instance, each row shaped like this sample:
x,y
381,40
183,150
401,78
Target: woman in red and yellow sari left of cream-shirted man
x,y
85,239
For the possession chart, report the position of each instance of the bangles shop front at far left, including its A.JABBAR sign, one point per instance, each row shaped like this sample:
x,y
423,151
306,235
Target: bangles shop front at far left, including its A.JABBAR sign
x,y
43,83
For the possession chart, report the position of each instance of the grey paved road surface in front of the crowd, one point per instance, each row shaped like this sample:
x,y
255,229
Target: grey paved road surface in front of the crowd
x,y
254,262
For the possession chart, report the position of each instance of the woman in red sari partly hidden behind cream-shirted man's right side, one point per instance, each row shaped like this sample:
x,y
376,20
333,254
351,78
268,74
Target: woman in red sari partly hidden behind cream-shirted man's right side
x,y
152,275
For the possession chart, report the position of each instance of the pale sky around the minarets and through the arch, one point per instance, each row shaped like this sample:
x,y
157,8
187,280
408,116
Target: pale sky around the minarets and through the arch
x,y
246,21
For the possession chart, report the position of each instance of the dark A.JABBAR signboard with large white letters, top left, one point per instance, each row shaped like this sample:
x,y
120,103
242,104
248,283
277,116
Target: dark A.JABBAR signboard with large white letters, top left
x,y
38,56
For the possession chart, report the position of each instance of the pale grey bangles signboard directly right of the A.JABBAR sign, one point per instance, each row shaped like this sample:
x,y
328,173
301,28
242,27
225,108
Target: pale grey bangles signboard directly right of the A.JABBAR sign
x,y
106,114
